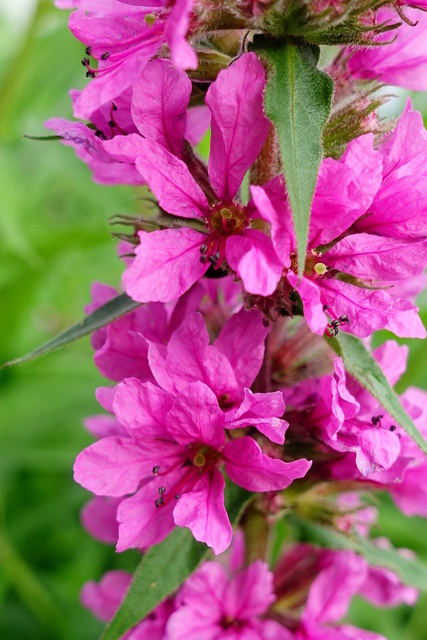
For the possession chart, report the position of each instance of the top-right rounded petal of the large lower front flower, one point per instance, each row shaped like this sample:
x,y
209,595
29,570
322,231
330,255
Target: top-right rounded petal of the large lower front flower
x,y
196,417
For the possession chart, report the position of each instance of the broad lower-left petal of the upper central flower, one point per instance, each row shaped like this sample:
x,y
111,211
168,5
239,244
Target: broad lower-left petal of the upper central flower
x,y
167,264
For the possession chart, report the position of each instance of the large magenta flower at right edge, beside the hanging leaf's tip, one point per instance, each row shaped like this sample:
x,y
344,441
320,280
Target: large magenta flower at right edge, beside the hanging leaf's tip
x,y
378,241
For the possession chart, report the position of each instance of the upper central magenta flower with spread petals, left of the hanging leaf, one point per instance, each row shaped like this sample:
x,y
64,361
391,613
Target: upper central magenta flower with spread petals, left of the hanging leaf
x,y
168,262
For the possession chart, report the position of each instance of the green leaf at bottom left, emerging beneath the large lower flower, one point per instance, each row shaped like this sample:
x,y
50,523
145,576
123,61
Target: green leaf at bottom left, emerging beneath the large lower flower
x,y
165,567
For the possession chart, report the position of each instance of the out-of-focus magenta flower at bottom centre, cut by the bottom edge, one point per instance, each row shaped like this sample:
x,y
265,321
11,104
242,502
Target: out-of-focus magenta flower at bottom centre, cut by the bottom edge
x,y
215,606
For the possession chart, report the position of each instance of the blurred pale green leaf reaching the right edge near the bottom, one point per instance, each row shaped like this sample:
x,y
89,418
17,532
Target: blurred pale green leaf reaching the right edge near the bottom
x,y
410,571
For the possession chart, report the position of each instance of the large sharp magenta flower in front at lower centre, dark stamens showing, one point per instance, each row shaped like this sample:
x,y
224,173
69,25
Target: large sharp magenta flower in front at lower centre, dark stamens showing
x,y
170,461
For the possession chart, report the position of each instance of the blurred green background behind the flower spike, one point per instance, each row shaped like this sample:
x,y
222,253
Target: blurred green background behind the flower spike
x,y
54,242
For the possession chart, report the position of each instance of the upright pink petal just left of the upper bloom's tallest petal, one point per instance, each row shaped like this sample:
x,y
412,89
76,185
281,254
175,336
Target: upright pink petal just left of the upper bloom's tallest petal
x,y
159,104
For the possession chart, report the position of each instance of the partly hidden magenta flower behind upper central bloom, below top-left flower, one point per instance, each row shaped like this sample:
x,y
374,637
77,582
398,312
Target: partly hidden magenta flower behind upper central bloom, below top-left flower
x,y
154,107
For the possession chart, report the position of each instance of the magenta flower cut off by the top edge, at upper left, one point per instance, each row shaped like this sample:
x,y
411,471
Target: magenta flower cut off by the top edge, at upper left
x,y
123,37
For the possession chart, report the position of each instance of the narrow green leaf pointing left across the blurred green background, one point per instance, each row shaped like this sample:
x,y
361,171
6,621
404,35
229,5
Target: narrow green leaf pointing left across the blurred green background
x,y
111,310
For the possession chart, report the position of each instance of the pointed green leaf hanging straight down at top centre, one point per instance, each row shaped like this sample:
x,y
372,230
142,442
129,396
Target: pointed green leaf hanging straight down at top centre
x,y
298,101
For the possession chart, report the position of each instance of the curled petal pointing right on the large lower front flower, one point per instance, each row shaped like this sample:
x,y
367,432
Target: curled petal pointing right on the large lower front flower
x,y
248,467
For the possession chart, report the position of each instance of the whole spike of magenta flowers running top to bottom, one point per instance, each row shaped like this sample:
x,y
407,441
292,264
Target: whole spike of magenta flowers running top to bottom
x,y
228,350
